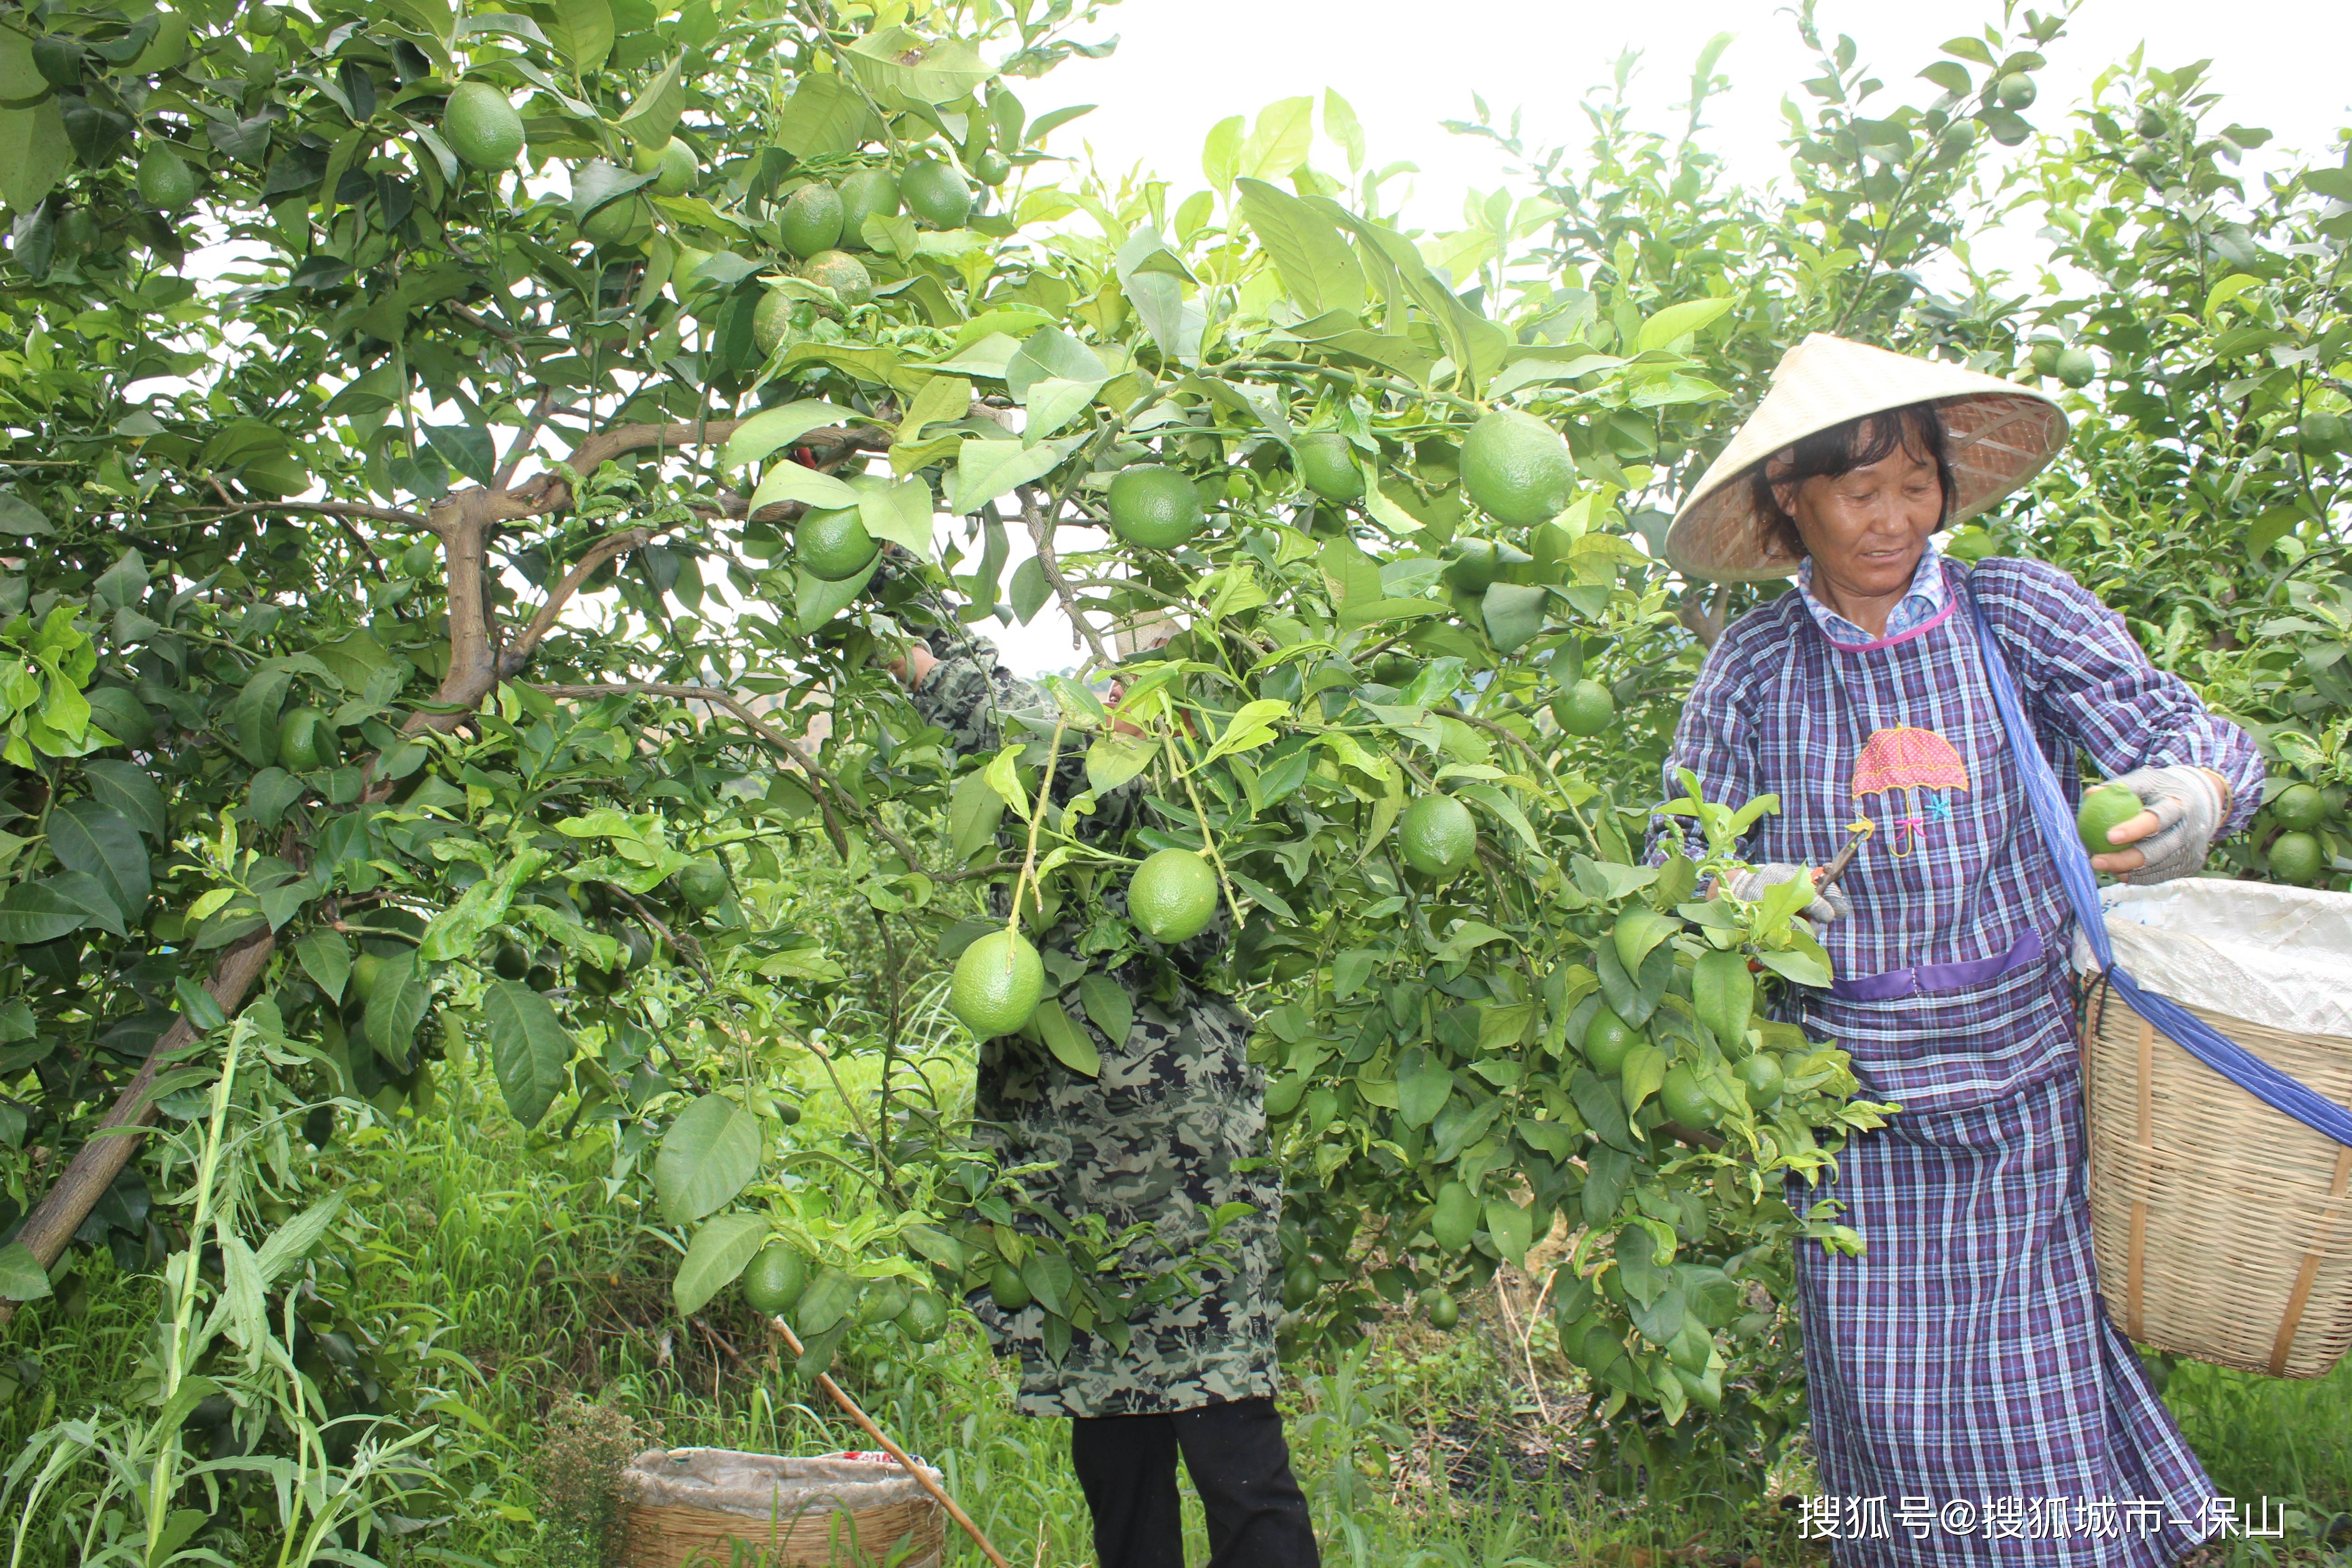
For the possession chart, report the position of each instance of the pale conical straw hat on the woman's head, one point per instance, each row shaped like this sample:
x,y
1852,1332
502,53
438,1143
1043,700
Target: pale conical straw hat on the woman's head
x,y
2000,438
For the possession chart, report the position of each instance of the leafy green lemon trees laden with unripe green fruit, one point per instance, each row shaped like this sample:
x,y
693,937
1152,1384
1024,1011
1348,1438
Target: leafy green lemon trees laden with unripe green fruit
x,y
460,455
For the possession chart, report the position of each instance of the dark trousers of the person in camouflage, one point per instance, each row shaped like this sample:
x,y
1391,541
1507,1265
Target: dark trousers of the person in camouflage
x,y
1238,1463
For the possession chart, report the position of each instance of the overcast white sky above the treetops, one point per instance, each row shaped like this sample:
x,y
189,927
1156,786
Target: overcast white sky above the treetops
x,y
1187,65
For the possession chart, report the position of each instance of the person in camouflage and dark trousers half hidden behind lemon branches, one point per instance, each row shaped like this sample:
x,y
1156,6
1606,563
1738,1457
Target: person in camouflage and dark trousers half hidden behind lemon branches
x,y
1170,1130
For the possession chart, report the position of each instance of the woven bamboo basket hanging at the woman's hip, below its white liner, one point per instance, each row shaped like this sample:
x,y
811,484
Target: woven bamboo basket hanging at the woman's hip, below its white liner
x,y
2224,1228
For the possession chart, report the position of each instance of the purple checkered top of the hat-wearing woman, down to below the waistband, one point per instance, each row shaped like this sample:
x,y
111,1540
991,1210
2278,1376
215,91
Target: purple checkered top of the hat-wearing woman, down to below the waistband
x,y
1784,711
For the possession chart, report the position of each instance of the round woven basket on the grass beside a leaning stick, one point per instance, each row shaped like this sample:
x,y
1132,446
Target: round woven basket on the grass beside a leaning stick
x,y
714,1508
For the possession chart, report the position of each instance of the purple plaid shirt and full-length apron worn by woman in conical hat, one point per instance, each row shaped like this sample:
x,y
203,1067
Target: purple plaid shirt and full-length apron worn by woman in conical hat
x,y
1972,1405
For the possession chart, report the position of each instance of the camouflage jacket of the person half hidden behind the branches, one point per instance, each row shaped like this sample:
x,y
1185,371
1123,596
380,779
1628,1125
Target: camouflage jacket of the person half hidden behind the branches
x,y
1156,1139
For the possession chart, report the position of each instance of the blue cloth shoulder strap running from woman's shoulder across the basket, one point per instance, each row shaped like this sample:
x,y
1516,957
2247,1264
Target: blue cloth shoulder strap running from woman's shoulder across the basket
x,y
2059,836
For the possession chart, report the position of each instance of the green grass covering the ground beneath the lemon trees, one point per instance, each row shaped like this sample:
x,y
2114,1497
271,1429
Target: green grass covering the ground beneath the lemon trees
x,y
500,1273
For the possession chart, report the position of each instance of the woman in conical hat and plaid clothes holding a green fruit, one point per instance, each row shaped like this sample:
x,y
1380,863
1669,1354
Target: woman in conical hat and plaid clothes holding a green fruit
x,y
1965,1355
